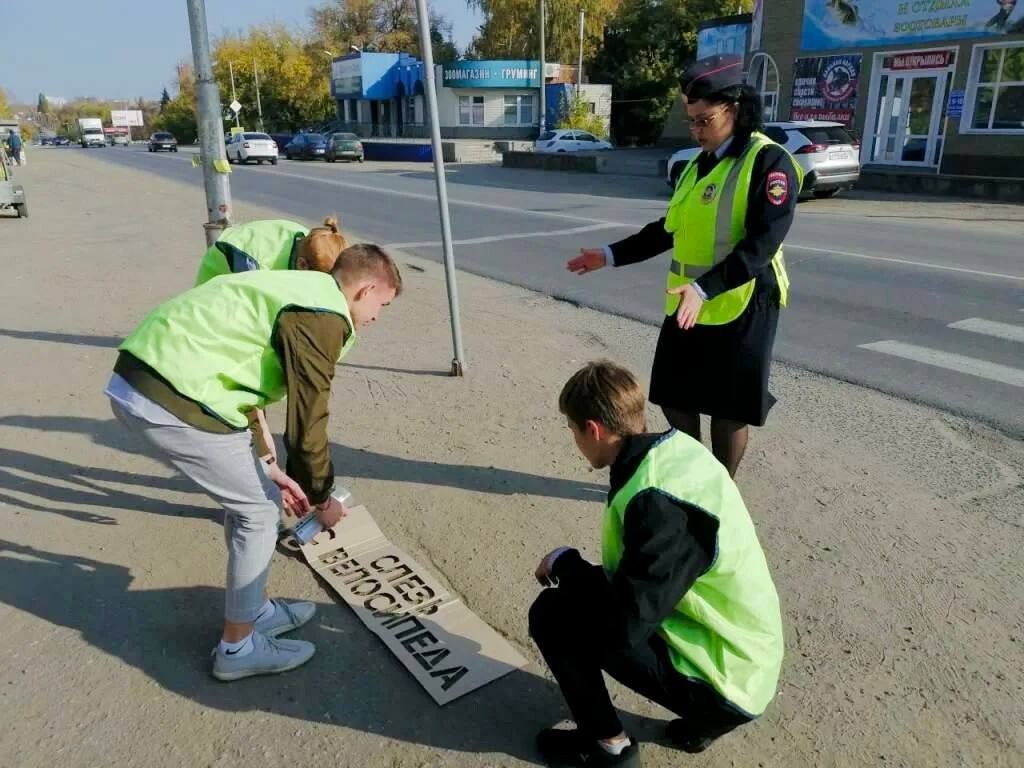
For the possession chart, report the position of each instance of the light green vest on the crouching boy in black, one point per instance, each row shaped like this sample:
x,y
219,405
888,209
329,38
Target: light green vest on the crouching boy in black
x,y
728,630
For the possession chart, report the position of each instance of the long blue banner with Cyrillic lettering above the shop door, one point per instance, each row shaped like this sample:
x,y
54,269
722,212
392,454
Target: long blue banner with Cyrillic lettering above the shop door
x,y
849,24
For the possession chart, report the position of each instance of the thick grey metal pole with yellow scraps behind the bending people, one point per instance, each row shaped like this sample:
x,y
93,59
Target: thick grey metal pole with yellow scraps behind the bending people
x,y
211,126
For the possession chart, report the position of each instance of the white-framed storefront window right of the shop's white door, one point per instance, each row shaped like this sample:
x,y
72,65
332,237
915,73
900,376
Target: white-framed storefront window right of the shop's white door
x,y
998,90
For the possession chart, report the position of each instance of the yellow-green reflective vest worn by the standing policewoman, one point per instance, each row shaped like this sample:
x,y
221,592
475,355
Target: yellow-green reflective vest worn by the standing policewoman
x,y
708,219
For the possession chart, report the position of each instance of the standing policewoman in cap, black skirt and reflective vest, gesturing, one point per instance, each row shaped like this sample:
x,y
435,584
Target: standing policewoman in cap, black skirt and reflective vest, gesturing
x,y
732,210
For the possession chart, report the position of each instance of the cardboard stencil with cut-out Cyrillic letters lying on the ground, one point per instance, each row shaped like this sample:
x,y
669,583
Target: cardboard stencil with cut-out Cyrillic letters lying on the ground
x,y
449,650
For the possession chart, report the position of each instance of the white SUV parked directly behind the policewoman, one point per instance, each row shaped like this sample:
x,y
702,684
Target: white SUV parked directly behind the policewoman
x,y
829,154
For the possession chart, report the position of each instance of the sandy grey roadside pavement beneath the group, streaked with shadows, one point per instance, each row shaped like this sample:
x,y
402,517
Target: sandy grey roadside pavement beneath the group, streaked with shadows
x,y
894,532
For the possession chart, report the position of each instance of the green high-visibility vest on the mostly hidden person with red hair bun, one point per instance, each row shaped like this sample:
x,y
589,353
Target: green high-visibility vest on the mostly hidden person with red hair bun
x,y
260,245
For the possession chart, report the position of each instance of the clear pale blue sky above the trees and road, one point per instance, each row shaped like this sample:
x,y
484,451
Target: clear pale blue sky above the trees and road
x,y
130,49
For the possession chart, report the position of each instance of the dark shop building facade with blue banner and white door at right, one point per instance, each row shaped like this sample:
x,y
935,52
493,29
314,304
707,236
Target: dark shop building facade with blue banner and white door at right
x,y
932,87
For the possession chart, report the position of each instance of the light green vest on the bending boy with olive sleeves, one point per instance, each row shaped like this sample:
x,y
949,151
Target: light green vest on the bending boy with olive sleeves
x,y
216,344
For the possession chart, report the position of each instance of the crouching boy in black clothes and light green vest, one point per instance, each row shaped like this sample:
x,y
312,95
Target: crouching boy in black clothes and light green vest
x,y
682,609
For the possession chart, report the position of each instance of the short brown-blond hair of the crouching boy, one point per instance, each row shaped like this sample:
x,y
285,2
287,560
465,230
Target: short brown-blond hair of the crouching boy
x,y
607,394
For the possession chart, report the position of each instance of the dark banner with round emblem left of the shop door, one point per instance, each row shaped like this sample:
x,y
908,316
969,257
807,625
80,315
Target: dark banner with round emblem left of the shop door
x,y
826,89
